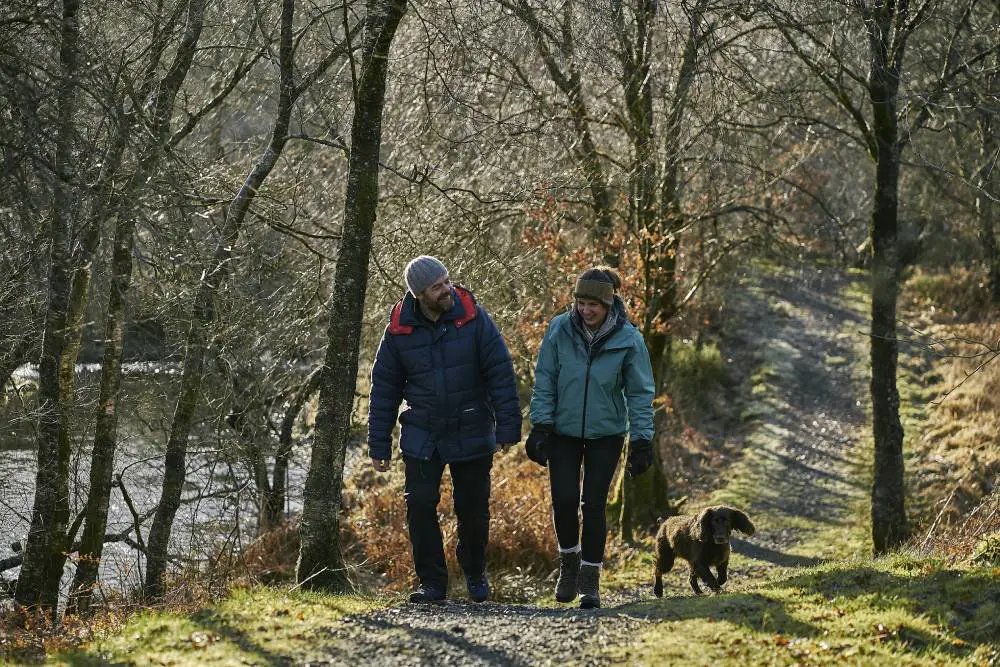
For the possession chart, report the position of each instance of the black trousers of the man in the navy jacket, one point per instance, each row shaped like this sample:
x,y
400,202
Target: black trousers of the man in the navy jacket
x,y
471,493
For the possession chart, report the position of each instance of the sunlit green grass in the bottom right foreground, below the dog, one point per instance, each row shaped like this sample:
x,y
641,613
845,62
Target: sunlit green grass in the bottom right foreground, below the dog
x,y
896,610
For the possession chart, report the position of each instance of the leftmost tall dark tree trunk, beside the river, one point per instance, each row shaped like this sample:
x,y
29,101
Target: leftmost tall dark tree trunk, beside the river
x,y
45,548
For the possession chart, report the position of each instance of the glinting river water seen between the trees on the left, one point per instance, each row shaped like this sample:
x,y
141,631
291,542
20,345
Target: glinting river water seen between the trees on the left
x,y
218,508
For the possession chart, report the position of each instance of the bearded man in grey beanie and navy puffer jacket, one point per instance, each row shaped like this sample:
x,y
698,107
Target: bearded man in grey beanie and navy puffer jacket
x,y
444,356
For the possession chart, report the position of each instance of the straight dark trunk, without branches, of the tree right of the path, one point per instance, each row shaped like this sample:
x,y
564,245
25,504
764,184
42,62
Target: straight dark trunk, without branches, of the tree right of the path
x,y
889,527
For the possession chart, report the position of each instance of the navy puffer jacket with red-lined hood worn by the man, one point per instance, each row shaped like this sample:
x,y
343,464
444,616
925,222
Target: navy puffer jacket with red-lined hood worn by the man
x,y
456,377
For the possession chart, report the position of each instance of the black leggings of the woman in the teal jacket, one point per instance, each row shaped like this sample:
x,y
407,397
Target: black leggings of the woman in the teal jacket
x,y
599,459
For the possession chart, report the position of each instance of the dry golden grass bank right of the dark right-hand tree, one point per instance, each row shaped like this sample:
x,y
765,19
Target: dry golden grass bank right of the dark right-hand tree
x,y
953,390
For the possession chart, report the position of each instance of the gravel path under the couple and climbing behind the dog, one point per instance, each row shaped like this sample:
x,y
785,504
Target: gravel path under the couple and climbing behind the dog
x,y
798,455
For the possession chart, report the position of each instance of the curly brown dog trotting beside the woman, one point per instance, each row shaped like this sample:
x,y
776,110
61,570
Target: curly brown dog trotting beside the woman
x,y
702,541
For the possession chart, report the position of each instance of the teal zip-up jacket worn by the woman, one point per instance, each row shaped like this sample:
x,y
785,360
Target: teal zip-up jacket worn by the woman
x,y
593,391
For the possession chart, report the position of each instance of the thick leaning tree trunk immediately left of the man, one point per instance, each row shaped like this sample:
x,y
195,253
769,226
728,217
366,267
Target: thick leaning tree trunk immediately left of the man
x,y
321,562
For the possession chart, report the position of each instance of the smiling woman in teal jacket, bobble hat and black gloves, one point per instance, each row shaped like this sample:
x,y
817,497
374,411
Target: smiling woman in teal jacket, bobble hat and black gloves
x,y
593,384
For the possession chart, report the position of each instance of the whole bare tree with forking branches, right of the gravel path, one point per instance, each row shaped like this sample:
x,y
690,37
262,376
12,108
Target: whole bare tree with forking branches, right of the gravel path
x,y
827,43
